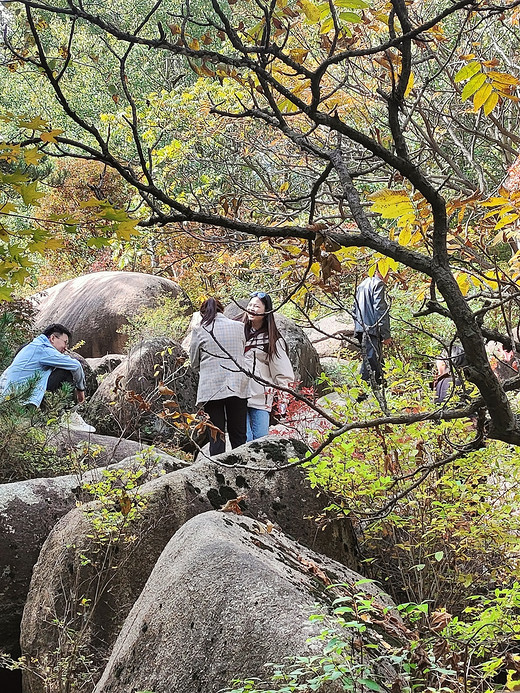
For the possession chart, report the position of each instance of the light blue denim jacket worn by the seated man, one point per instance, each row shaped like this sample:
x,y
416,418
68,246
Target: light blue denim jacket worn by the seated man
x,y
38,359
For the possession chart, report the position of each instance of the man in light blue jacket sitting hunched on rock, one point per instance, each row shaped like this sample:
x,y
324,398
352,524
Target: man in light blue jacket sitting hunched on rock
x,y
44,362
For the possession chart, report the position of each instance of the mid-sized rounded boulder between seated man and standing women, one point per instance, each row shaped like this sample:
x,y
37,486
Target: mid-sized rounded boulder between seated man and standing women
x,y
129,398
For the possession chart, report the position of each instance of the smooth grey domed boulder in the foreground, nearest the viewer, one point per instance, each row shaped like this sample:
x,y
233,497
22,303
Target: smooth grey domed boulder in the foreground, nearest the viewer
x,y
224,598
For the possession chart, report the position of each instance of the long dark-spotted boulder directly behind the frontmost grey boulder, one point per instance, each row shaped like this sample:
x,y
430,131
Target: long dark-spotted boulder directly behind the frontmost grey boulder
x,y
68,574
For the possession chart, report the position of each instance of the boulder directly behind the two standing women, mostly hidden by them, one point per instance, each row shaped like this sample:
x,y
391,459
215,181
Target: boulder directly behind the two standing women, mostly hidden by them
x,y
303,356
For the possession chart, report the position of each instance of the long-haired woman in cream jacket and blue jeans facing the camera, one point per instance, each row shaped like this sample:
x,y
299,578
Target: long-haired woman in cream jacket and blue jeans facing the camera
x,y
267,361
